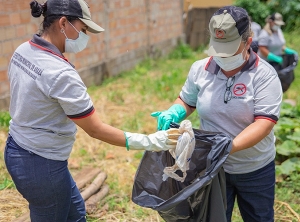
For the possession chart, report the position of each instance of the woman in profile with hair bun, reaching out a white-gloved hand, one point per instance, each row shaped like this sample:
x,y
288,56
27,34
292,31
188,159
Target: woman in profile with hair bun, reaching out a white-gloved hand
x,y
48,100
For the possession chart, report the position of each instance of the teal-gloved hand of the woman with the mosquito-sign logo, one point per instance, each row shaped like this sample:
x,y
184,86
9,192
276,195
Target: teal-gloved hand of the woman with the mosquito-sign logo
x,y
175,113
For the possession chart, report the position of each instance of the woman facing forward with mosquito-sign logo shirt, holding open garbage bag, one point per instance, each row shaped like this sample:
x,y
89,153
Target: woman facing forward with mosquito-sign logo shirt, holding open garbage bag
x,y
237,93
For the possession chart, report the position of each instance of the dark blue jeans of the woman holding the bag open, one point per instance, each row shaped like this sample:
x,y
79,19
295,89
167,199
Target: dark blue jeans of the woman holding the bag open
x,y
255,193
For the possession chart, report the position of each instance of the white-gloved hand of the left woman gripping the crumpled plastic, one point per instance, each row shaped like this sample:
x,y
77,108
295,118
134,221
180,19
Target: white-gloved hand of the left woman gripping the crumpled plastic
x,y
159,141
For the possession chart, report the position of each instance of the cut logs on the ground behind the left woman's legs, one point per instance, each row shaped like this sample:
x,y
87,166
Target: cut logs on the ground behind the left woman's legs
x,y
91,183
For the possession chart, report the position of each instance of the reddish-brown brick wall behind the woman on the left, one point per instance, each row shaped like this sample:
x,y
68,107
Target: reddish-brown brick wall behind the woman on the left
x,y
134,29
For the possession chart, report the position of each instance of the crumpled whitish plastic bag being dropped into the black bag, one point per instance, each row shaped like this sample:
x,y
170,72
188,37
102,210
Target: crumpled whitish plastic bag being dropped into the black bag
x,y
182,153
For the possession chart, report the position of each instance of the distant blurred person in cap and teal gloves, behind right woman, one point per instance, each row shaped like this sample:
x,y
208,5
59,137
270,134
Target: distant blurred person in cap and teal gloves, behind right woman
x,y
271,41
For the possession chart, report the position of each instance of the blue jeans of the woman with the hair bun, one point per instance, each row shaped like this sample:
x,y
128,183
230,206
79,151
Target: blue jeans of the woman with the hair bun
x,y
46,184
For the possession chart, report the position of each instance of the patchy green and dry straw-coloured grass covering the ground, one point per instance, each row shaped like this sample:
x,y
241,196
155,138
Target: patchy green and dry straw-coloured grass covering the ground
x,y
126,102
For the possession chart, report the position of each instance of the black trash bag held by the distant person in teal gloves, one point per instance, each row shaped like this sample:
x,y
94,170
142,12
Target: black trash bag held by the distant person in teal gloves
x,y
285,70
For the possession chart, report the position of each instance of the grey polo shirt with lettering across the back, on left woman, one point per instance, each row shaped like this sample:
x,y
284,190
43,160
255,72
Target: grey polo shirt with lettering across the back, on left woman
x,y
46,93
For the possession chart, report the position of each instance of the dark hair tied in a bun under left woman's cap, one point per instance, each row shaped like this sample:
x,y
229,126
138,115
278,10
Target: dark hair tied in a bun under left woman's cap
x,y
38,9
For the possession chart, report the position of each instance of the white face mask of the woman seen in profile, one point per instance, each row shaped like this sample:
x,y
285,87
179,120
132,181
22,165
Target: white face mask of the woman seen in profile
x,y
76,45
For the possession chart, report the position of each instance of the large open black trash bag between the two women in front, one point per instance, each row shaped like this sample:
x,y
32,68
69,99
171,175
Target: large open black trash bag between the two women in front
x,y
201,197
